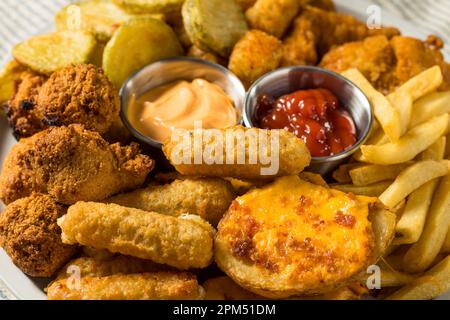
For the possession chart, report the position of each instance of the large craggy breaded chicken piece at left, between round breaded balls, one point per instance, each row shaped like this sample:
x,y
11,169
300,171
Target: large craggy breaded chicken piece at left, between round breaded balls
x,y
71,164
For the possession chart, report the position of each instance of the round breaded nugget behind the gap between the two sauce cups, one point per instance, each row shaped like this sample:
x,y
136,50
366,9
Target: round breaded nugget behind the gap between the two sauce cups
x,y
256,54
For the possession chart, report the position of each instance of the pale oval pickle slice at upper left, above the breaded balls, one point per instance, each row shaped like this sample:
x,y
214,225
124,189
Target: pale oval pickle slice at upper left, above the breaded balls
x,y
49,52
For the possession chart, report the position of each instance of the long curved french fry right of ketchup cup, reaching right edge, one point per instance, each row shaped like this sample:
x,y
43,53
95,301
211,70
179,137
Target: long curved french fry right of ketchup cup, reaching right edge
x,y
410,145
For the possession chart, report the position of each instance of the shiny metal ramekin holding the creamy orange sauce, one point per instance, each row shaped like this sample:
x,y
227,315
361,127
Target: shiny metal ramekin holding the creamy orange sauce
x,y
174,69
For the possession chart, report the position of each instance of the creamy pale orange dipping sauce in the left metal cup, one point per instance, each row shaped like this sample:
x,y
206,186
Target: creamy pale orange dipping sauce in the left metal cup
x,y
178,105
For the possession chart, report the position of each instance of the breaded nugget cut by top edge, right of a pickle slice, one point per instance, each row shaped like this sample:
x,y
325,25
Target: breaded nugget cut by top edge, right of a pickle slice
x,y
272,16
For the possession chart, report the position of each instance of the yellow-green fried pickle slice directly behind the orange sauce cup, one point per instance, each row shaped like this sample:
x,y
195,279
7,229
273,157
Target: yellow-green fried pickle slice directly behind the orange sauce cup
x,y
137,43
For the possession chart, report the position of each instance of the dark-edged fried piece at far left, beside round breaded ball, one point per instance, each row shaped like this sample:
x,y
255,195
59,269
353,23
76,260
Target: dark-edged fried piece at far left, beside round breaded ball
x,y
20,109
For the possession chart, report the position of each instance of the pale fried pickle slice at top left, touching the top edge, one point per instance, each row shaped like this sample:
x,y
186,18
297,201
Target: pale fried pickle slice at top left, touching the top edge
x,y
100,17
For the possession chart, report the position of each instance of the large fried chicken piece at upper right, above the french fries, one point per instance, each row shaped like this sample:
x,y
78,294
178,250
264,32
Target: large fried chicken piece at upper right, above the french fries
x,y
386,63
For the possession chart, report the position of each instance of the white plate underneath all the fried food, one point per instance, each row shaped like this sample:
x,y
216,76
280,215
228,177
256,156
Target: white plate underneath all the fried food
x,y
24,287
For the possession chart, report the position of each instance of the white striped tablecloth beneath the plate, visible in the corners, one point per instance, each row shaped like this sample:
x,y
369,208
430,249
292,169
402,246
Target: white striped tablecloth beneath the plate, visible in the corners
x,y
19,19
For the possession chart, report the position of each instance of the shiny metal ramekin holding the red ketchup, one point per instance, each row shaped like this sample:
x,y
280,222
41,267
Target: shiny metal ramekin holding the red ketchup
x,y
287,80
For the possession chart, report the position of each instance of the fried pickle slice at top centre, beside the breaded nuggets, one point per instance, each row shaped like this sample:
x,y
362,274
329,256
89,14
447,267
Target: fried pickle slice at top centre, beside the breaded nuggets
x,y
214,25
